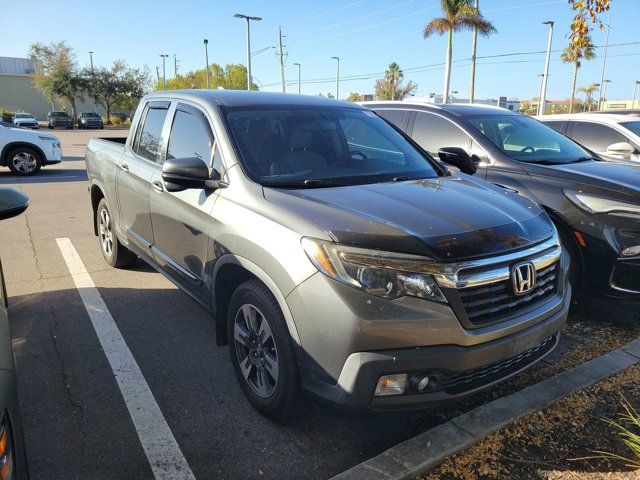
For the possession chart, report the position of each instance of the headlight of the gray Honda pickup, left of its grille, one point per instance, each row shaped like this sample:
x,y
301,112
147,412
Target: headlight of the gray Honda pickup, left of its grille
x,y
383,274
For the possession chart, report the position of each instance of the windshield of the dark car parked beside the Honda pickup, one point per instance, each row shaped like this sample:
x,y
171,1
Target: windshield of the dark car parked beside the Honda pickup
x,y
527,140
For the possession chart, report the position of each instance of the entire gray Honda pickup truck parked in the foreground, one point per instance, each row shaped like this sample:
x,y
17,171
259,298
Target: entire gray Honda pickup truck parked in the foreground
x,y
335,255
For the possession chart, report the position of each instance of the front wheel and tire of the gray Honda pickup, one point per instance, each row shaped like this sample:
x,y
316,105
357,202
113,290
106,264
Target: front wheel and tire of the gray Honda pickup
x,y
262,353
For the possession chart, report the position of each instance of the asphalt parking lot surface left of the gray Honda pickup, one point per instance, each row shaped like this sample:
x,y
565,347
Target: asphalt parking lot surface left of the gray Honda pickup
x,y
76,422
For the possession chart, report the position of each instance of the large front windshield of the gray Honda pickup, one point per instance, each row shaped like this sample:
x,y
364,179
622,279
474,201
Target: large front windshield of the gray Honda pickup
x,y
311,147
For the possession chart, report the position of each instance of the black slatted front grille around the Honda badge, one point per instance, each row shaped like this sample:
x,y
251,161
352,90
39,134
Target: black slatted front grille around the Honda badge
x,y
490,303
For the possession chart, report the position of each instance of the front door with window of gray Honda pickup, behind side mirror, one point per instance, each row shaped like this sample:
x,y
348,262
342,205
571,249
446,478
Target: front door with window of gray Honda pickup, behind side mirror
x,y
181,221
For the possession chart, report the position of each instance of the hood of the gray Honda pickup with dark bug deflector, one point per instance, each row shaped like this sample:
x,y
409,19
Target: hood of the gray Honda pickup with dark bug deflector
x,y
447,218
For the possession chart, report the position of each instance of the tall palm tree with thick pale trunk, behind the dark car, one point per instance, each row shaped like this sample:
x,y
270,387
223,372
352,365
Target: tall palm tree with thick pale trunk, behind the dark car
x,y
458,15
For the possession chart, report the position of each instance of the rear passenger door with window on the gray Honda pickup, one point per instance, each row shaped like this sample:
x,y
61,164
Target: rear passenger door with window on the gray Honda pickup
x,y
138,166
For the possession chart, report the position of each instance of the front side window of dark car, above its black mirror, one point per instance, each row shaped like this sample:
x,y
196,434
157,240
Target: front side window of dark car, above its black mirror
x,y
433,132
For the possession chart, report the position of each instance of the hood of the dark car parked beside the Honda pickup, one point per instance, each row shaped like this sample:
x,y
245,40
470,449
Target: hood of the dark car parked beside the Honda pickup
x,y
621,177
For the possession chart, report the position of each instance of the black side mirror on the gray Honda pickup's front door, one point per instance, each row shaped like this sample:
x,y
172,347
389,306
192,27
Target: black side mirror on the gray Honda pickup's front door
x,y
184,173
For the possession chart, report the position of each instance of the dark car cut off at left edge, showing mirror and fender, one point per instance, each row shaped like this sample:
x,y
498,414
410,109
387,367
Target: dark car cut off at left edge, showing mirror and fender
x,y
13,459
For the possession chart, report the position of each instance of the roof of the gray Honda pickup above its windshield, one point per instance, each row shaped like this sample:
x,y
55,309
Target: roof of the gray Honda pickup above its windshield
x,y
243,98
